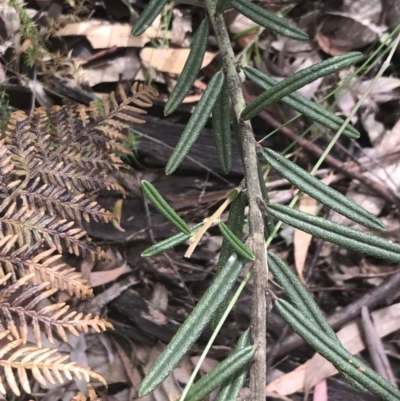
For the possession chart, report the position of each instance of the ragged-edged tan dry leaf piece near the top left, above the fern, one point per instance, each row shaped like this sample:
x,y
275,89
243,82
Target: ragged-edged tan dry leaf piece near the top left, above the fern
x,y
102,35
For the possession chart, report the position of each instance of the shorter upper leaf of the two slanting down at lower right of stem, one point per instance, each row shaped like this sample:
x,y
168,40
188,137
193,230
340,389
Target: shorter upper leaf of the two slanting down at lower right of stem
x,y
298,295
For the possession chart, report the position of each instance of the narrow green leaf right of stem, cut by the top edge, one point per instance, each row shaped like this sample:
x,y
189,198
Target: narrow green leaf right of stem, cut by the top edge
x,y
268,20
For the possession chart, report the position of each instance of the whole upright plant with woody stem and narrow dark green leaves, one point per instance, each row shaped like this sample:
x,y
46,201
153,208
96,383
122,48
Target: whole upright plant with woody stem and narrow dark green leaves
x,y
301,312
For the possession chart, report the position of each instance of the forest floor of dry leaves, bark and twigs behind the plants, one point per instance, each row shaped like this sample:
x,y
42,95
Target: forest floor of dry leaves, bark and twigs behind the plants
x,y
81,49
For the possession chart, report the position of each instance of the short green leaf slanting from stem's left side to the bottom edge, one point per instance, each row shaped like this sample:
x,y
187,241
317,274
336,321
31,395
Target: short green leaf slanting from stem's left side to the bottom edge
x,y
220,374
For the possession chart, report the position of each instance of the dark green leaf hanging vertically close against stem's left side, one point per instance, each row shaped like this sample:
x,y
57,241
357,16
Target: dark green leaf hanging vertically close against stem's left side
x,y
221,128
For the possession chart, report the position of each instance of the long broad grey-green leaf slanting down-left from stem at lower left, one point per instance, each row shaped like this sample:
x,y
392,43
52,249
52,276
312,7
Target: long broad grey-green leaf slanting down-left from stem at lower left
x,y
193,326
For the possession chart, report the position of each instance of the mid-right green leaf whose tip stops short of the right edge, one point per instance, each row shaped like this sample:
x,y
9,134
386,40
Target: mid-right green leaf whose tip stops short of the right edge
x,y
318,190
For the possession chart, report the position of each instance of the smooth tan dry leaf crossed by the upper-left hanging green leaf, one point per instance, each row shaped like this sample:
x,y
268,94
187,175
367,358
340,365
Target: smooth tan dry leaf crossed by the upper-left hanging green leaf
x,y
170,60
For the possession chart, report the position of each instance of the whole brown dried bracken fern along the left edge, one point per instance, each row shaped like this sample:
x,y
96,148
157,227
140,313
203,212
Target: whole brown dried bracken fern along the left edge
x,y
49,160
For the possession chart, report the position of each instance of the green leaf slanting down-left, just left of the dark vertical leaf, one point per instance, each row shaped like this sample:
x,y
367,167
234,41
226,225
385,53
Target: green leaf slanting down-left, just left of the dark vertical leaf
x,y
196,123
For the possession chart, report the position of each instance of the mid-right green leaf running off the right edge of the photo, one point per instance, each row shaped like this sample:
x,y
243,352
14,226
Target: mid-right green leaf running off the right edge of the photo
x,y
336,233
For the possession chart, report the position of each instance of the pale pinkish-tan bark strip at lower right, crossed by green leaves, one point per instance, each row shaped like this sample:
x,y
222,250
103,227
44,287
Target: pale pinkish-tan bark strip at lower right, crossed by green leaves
x,y
307,375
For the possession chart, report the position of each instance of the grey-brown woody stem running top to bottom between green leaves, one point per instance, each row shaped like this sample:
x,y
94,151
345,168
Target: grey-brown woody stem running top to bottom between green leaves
x,y
256,222
